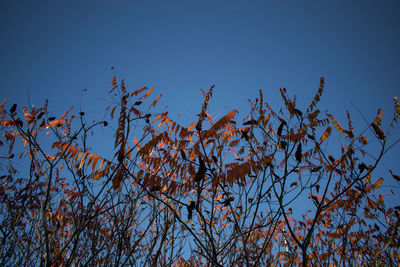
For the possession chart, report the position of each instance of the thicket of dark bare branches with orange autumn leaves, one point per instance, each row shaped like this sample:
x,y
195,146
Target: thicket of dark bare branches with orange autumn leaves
x,y
264,189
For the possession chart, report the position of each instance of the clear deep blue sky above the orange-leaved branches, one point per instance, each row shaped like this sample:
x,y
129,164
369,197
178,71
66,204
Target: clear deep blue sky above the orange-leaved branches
x,y
54,49
